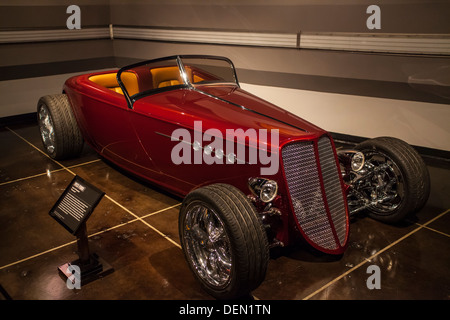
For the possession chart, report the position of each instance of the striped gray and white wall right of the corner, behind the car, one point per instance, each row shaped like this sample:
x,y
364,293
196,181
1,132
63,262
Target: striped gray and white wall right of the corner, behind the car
x,y
358,93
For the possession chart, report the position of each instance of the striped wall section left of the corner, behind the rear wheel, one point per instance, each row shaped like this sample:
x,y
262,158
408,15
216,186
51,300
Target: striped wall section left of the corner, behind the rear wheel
x,y
37,56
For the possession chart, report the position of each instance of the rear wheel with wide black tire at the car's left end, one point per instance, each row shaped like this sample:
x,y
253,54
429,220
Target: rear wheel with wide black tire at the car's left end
x,y
60,134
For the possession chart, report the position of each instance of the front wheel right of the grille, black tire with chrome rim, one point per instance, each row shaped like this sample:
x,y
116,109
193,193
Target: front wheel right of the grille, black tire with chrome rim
x,y
395,181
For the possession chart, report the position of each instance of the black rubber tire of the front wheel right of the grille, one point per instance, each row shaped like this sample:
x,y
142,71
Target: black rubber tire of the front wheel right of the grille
x,y
414,176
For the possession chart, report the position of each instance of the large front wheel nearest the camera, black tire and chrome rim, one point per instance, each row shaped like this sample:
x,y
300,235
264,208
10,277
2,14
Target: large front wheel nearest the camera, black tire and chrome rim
x,y
245,243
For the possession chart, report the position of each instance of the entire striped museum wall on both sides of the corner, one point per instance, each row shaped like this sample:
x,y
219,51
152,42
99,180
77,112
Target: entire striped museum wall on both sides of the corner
x,y
278,50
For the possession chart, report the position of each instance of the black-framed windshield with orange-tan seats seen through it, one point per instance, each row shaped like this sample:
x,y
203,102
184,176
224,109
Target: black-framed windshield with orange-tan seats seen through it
x,y
154,76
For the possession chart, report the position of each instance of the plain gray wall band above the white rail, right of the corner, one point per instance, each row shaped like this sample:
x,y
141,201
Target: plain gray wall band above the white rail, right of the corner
x,y
398,16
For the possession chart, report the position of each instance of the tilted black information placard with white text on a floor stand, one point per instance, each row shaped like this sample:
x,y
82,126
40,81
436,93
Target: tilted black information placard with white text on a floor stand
x,y
76,204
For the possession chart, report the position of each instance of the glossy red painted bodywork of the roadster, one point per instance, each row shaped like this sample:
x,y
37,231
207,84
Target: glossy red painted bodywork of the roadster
x,y
138,138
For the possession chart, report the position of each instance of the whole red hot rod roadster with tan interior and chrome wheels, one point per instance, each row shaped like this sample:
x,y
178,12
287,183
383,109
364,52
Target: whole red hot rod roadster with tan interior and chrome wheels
x,y
252,175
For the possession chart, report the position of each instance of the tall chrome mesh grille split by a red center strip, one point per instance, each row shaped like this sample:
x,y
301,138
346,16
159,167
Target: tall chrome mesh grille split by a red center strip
x,y
308,200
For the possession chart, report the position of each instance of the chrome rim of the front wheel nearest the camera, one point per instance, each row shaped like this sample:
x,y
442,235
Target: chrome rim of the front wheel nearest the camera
x,y
207,244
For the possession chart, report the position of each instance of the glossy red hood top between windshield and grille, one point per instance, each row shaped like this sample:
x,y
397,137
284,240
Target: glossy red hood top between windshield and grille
x,y
225,108
